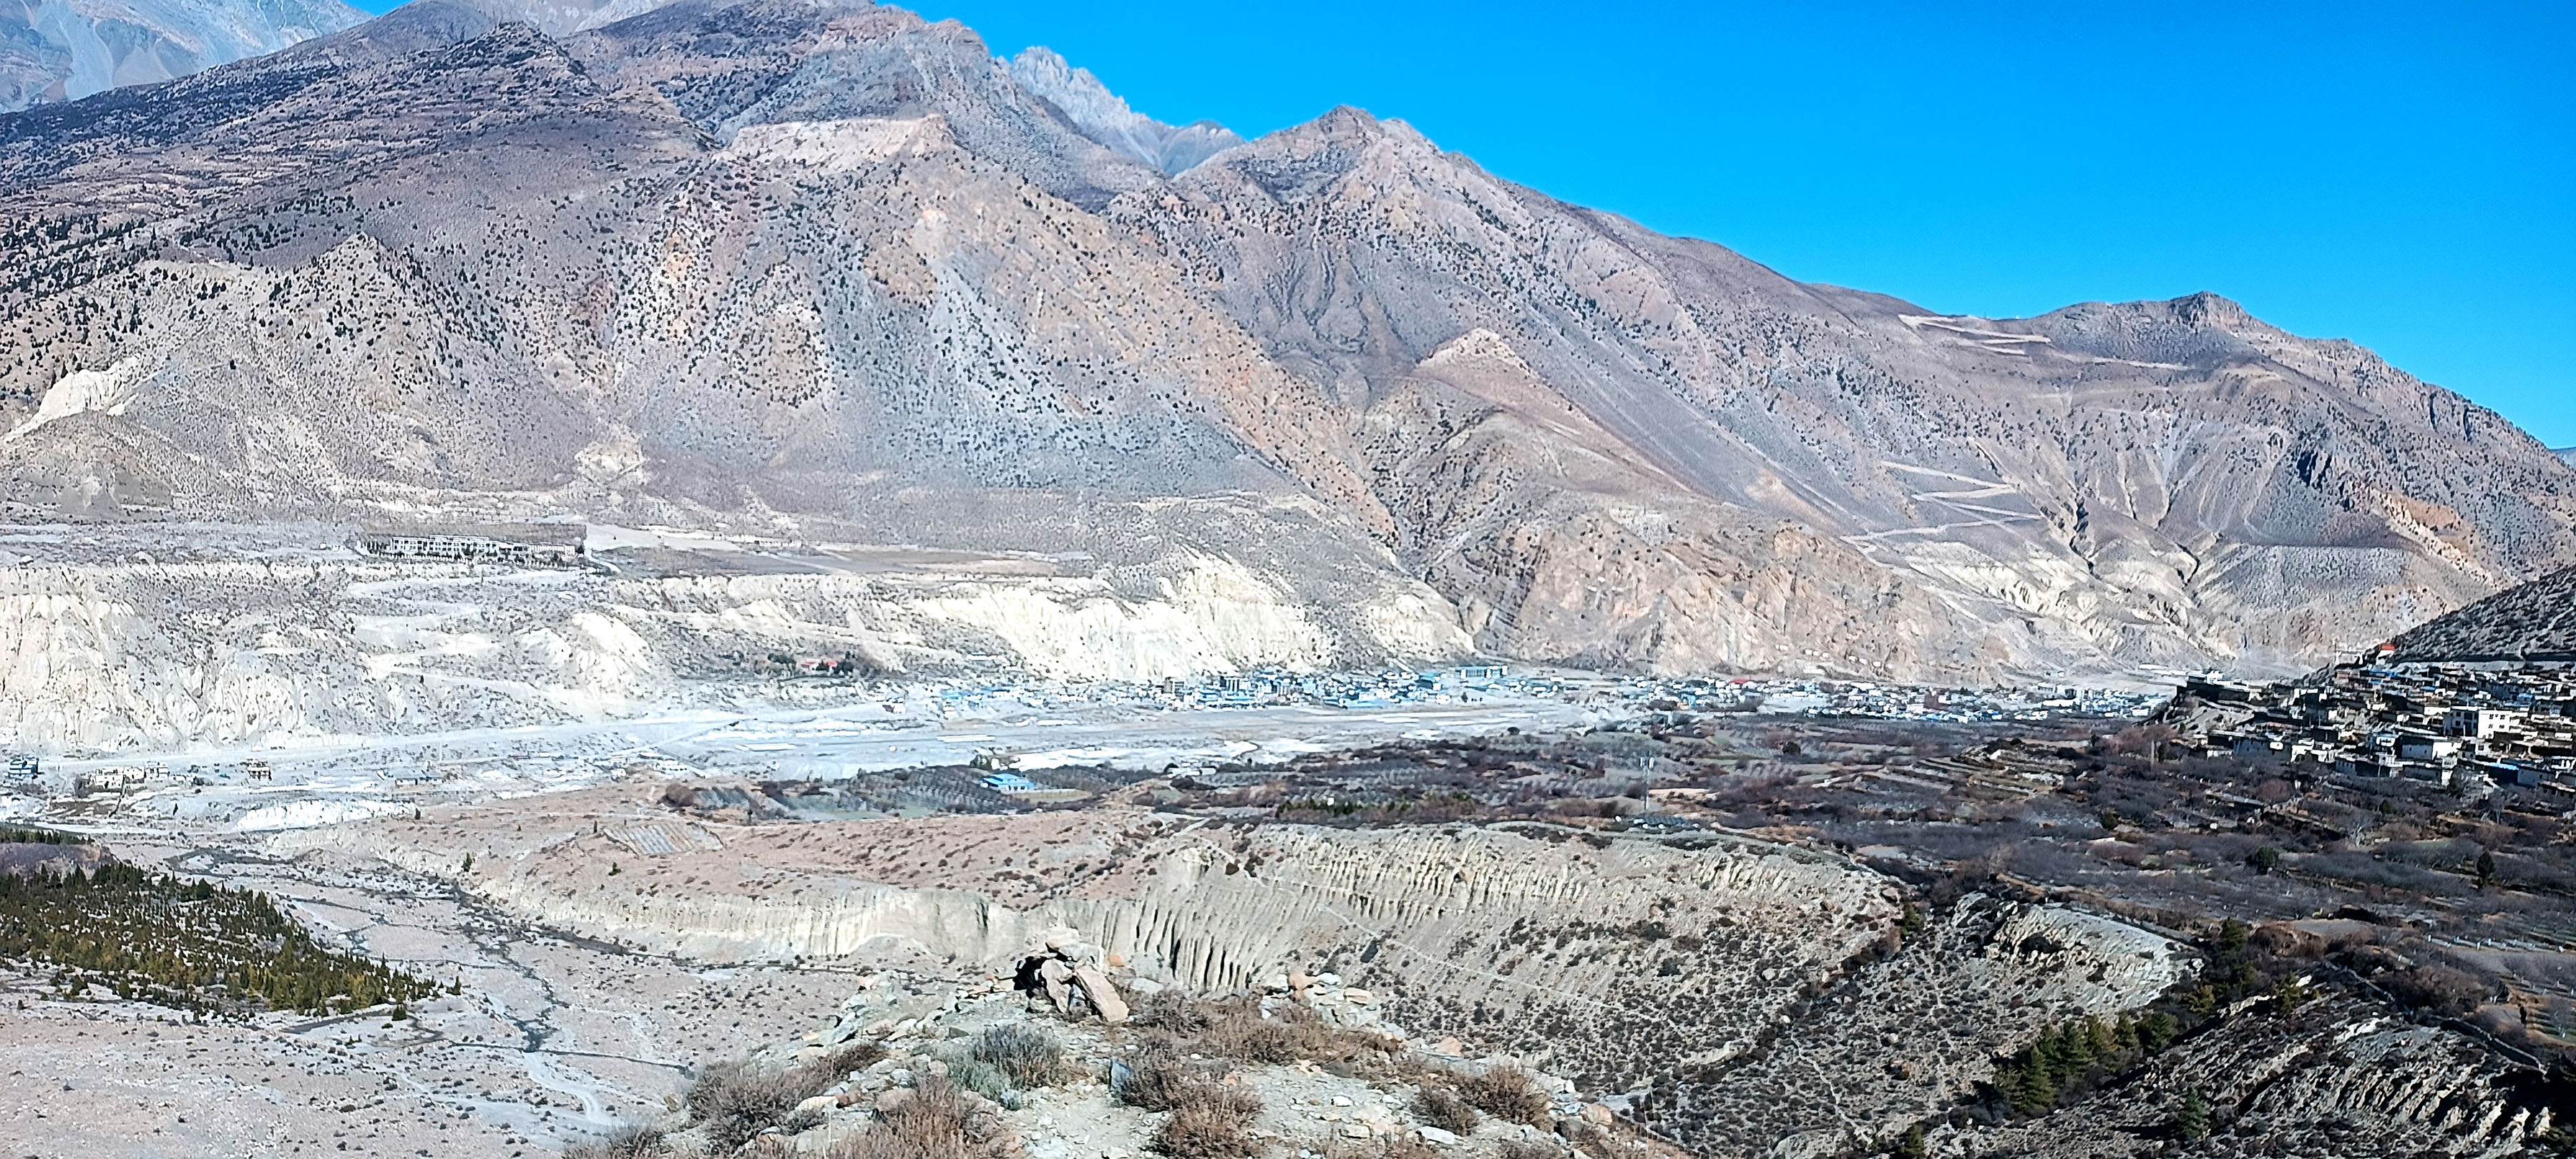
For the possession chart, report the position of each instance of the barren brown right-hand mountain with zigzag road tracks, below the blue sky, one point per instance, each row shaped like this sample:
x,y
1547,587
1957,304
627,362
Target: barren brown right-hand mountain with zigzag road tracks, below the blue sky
x,y
2147,483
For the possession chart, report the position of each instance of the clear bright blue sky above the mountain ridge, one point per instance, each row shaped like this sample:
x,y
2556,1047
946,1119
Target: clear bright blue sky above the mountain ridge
x,y
2392,174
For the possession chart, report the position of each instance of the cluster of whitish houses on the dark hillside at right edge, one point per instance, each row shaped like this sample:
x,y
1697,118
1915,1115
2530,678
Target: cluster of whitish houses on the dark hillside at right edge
x,y
2425,722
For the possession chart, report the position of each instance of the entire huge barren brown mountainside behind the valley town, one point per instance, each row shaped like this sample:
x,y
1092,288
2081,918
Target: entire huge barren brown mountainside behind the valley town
x,y
828,272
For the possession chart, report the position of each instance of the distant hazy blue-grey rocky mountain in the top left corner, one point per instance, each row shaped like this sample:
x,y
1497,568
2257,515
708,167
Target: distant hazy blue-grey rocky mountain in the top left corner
x,y
55,50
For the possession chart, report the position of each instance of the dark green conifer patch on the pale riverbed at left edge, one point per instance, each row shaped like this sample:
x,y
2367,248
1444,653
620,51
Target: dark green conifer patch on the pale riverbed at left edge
x,y
184,944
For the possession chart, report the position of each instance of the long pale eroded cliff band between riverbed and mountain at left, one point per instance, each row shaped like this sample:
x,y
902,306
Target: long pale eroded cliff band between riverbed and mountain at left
x,y
241,655
